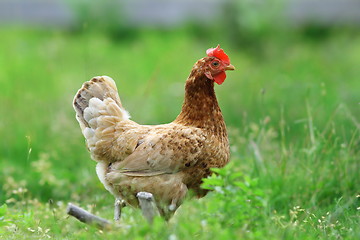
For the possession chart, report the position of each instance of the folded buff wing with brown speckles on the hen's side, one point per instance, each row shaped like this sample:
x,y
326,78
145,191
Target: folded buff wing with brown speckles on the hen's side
x,y
166,149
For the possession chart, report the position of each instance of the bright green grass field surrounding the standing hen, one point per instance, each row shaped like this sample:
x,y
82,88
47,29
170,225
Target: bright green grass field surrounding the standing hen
x,y
292,112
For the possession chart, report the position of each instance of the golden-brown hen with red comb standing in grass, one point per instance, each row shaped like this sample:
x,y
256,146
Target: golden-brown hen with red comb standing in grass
x,y
165,160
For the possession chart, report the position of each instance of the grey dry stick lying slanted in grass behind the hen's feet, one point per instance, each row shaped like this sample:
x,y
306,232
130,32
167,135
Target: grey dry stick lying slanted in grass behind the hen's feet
x,y
88,218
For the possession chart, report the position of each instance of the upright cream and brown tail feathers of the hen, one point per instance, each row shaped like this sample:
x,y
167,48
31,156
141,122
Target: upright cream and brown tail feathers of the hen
x,y
98,110
